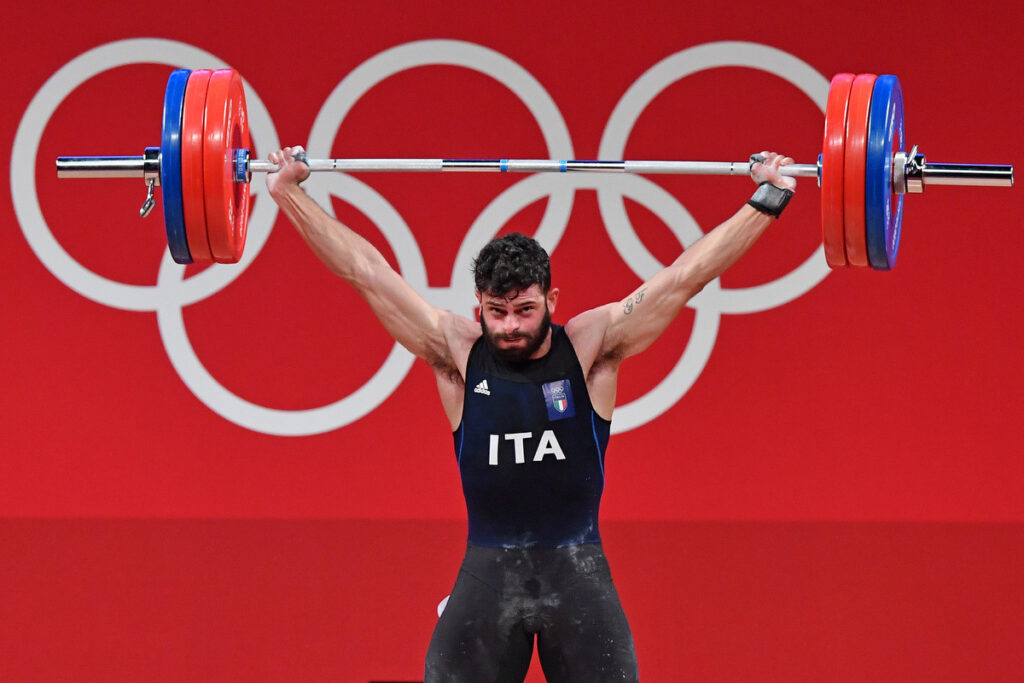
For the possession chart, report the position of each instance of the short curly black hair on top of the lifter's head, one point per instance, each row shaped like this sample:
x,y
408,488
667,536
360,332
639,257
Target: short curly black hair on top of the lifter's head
x,y
510,265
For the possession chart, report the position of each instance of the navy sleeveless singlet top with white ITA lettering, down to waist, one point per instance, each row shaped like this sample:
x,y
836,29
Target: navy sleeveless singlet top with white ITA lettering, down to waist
x,y
531,450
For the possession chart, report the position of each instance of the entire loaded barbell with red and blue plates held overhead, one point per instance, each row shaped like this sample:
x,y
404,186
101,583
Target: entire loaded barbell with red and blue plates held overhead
x,y
204,167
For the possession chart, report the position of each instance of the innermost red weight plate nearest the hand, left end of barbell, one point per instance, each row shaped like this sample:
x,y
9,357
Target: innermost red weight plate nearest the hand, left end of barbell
x,y
227,202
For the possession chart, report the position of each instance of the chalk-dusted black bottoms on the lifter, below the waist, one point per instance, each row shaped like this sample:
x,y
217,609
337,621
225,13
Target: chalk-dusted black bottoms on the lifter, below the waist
x,y
505,597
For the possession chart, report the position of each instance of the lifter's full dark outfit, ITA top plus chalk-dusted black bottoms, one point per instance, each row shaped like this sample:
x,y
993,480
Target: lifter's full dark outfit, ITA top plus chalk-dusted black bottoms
x,y
531,453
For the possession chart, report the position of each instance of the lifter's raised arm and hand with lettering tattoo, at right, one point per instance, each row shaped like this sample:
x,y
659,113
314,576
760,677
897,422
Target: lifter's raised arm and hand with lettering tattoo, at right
x,y
618,331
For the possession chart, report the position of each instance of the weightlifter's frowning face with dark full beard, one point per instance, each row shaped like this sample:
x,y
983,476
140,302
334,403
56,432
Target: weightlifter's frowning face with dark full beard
x,y
518,327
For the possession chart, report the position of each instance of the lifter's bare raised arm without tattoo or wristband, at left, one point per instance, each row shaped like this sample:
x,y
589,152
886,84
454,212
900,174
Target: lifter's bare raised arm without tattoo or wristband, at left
x,y
437,336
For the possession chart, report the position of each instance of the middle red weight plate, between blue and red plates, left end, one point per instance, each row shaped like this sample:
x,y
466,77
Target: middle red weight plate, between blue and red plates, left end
x,y
192,165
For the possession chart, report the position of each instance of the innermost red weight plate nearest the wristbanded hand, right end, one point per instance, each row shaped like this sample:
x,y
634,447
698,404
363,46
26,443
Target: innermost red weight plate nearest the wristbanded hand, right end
x,y
833,156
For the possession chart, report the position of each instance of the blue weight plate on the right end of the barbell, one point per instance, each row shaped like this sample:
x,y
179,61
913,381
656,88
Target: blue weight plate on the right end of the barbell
x,y
883,211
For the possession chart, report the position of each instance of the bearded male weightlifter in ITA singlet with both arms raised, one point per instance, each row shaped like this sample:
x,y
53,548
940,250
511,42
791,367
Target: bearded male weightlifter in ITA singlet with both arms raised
x,y
530,404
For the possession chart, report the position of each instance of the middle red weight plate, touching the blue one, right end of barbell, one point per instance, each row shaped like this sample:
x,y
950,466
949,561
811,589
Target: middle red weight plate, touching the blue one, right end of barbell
x,y
856,165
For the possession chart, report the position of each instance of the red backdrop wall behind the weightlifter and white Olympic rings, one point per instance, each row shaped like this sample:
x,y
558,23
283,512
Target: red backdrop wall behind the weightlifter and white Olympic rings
x,y
837,497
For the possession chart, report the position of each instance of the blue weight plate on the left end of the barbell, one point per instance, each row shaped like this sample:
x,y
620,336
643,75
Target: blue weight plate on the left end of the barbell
x,y
170,167
